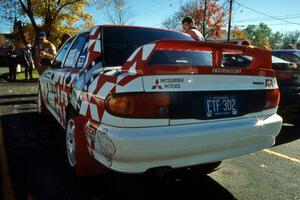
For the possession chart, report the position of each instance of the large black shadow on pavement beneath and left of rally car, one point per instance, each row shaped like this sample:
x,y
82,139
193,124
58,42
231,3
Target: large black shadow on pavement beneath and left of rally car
x,y
38,168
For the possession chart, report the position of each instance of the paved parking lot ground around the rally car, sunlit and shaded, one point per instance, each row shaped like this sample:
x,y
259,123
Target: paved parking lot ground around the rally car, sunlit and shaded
x,y
33,166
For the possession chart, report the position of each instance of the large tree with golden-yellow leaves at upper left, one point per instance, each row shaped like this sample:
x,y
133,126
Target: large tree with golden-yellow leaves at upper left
x,y
55,17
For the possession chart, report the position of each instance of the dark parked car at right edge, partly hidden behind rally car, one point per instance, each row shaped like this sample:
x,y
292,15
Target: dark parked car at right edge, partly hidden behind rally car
x,y
288,77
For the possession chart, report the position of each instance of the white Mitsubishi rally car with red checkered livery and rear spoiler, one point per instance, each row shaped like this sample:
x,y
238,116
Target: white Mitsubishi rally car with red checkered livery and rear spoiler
x,y
134,99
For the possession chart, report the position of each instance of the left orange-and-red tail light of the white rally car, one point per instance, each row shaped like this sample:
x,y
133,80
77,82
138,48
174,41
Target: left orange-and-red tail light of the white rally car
x,y
139,105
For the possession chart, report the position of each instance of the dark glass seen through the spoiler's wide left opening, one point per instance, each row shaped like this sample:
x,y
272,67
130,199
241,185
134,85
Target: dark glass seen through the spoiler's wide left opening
x,y
180,58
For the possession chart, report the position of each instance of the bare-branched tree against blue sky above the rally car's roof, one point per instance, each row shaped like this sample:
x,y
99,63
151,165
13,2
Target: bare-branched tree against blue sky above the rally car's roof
x,y
118,12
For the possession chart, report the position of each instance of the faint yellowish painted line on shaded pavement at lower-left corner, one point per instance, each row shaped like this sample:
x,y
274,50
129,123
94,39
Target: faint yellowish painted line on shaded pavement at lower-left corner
x,y
8,192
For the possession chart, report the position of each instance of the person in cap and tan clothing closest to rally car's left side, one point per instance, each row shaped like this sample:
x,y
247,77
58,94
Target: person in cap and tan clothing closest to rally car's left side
x,y
43,50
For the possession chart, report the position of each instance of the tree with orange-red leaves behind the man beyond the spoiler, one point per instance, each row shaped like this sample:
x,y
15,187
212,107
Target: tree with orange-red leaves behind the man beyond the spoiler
x,y
209,18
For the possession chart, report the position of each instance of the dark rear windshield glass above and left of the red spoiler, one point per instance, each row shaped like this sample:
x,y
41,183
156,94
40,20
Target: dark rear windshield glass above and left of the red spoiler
x,y
120,42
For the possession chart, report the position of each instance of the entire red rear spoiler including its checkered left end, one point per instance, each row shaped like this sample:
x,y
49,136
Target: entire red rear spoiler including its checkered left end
x,y
137,62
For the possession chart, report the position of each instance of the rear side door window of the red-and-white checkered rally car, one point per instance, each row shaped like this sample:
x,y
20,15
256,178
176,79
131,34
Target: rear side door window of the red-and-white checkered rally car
x,y
75,51
